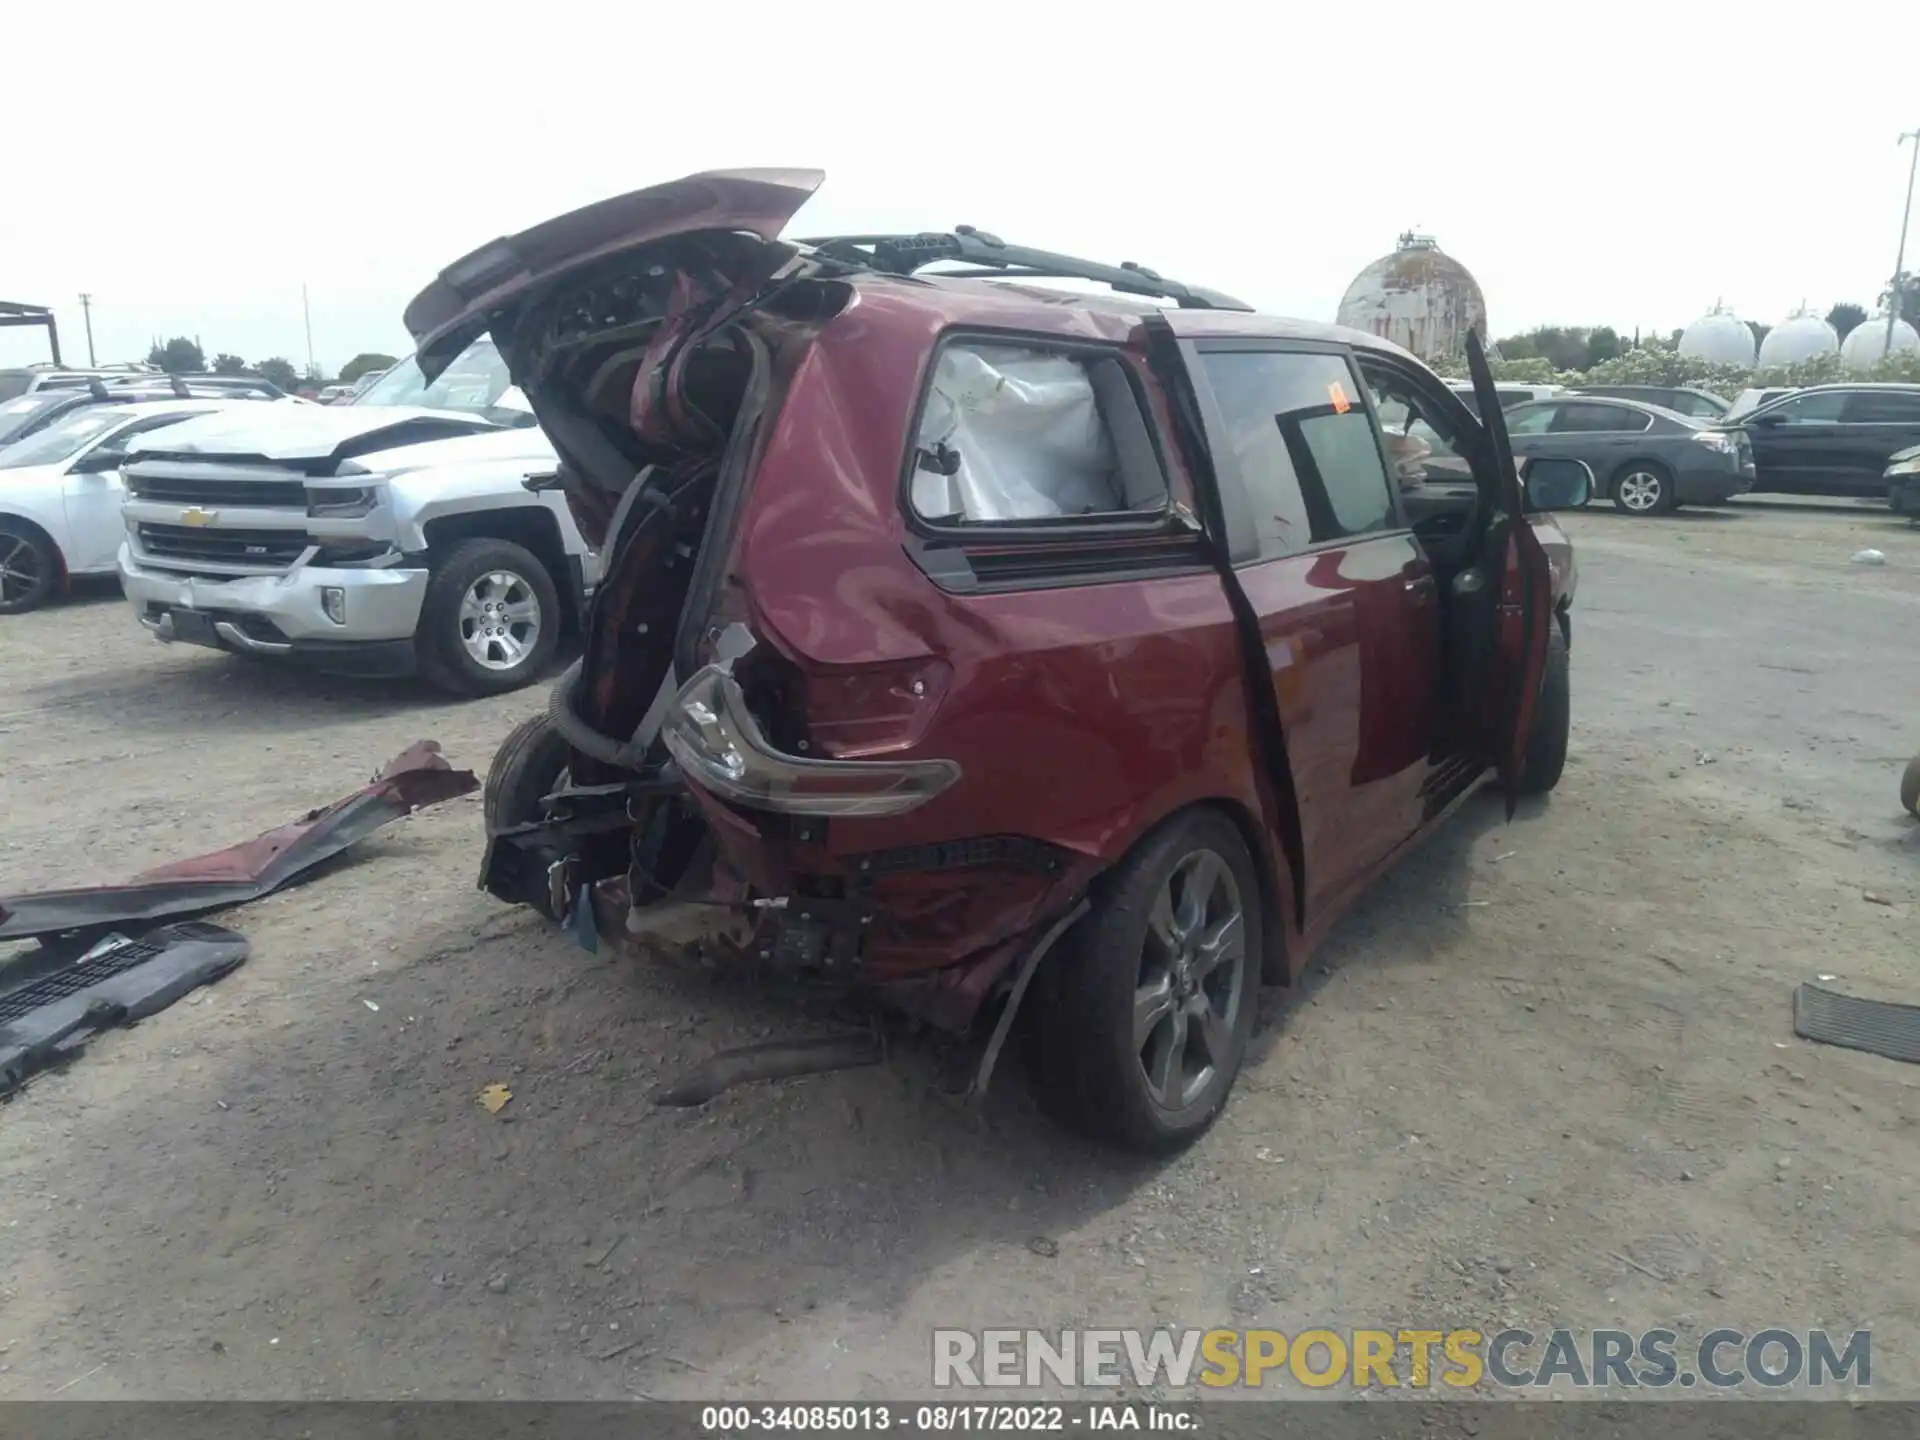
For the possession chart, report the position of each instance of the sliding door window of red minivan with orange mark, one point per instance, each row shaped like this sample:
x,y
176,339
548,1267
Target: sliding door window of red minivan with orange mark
x,y
1305,446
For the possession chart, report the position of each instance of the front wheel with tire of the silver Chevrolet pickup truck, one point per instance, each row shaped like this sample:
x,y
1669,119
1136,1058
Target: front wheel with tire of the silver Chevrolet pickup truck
x,y
491,619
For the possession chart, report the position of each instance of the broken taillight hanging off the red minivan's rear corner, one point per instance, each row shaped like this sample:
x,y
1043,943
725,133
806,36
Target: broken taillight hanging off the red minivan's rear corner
x,y
721,748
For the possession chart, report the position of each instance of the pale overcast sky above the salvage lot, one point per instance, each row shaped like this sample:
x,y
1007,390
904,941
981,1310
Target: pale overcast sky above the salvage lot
x,y
191,166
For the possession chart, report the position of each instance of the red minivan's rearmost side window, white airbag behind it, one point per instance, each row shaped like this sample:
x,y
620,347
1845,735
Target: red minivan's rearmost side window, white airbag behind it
x,y
1020,435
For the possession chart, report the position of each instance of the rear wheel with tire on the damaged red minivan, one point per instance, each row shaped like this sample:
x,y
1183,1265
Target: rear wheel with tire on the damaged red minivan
x,y
1163,1092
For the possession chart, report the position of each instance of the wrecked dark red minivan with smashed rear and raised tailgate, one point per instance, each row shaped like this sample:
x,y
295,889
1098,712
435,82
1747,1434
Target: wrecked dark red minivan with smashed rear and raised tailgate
x,y
997,648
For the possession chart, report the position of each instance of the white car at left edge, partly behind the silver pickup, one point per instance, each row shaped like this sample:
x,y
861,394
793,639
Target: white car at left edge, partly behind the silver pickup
x,y
60,496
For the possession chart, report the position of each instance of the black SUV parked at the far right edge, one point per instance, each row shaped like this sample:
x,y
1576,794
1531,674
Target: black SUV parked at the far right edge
x,y
1833,441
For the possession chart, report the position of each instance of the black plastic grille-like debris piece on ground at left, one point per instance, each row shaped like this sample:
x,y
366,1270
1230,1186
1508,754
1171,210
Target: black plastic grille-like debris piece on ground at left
x,y
116,984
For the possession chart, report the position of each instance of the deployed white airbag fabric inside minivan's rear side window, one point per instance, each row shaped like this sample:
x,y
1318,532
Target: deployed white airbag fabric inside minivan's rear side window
x,y
1026,433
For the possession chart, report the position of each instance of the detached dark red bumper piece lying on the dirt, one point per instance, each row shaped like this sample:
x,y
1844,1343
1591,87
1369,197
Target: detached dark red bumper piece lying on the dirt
x,y
243,873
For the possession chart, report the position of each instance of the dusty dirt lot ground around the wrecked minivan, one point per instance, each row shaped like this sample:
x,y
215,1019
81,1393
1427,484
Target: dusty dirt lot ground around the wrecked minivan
x,y
1543,1076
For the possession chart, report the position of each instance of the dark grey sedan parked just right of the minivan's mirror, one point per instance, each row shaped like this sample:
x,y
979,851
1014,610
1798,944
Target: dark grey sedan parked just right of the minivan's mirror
x,y
1646,460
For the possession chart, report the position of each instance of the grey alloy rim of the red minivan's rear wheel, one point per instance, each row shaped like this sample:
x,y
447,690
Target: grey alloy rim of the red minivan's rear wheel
x,y
1191,982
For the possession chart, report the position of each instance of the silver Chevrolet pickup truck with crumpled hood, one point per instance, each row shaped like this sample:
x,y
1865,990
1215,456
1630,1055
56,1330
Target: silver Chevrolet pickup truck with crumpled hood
x,y
389,537
